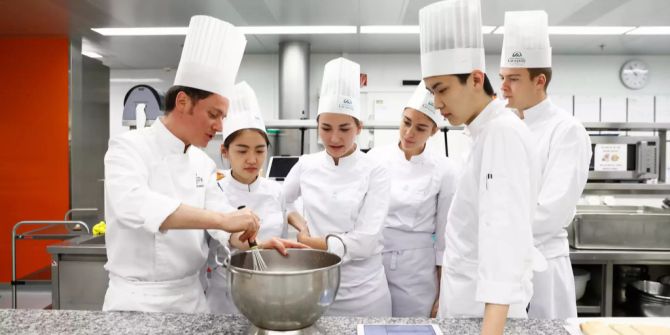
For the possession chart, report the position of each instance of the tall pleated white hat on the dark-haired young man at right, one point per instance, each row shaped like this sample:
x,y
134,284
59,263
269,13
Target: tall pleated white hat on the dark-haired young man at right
x,y
451,38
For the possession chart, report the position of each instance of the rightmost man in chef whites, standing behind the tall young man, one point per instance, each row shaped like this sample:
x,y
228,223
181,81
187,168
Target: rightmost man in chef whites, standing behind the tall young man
x,y
564,151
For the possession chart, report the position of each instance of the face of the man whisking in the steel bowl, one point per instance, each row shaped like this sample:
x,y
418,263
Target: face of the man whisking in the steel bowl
x,y
205,119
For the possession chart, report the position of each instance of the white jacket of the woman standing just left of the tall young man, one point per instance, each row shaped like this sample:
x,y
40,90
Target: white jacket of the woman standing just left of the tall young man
x,y
421,193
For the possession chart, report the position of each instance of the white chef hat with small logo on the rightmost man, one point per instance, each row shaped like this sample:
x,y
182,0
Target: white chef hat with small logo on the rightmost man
x,y
526,40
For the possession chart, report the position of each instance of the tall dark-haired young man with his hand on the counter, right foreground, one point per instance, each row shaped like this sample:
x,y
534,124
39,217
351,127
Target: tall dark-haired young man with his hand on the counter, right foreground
x,y
489,255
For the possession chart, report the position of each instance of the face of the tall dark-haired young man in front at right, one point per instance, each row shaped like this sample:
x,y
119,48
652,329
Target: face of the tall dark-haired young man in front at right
x,y
454,100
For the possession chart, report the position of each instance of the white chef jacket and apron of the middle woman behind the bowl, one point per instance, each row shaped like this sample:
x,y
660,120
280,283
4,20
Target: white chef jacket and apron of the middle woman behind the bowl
x,y
350,200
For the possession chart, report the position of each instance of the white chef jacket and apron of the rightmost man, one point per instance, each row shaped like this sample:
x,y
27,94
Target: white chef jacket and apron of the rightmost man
x,y
564,149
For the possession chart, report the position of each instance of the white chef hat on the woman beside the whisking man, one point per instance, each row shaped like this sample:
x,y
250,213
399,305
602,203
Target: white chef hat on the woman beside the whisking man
x,y
244,111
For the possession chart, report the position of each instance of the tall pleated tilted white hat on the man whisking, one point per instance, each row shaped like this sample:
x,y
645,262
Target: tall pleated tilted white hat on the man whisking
x,y
211,55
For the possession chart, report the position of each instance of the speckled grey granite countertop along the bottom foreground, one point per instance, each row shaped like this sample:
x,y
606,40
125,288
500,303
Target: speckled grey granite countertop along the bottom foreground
x,y
88,322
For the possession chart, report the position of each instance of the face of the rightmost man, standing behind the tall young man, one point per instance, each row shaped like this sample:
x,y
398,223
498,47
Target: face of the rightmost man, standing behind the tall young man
x,y
518,88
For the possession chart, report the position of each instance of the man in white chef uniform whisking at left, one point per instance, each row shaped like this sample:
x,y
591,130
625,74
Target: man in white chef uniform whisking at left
x,y
160,188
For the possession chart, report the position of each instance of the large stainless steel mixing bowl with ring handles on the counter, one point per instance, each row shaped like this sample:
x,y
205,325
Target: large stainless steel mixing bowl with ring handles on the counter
x,y
292,294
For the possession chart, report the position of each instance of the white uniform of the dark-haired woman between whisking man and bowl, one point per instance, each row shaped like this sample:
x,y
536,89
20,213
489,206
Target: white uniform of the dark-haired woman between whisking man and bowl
x,y
263,197
